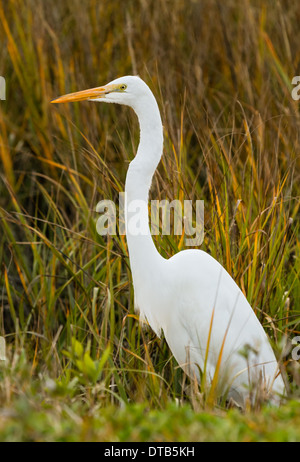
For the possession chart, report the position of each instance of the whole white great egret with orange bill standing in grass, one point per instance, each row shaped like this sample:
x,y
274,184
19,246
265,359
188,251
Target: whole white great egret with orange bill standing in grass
x,y
206,319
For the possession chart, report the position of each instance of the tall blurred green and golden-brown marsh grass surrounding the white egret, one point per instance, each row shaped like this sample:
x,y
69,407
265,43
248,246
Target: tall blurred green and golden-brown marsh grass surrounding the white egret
x,y
221,72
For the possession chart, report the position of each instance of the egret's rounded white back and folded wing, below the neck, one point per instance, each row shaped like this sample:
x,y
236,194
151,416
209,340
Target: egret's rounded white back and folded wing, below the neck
x,y
211,323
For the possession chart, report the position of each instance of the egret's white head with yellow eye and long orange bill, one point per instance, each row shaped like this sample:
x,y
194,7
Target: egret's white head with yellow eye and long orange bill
x,y
124,90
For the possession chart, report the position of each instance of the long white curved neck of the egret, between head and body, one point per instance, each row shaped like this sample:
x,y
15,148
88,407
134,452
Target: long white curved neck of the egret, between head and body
x,y
142,251
